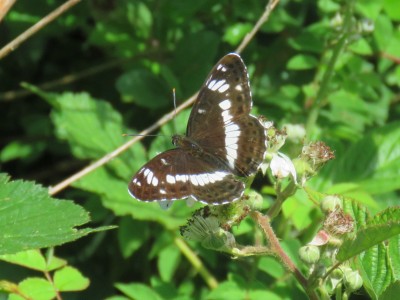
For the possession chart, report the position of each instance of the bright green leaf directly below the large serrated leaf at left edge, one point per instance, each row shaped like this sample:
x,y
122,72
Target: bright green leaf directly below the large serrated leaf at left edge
x,y
34,259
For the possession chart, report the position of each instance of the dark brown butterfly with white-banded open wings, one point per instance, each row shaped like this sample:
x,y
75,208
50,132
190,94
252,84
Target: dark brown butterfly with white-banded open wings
x,y
223,142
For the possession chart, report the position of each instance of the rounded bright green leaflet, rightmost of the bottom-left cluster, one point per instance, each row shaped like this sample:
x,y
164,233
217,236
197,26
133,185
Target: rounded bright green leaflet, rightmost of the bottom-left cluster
x,y
70,279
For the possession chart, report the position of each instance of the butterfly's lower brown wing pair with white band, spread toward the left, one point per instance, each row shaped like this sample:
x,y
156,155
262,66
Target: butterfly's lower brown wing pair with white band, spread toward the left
x,y
176,174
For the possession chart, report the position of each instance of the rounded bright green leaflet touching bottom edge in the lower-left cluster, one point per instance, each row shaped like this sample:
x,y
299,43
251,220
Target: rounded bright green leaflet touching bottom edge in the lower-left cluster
x,y
35,288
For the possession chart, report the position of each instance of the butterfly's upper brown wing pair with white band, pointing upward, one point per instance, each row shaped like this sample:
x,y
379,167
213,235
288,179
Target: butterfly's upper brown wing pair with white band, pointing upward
x,y
227,130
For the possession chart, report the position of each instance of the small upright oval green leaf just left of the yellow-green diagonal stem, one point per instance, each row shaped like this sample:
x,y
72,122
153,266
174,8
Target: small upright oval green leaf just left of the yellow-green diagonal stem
x,y
168,261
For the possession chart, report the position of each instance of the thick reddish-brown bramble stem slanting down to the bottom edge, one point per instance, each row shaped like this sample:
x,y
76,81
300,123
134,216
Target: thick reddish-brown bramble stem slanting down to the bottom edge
x,y
263,222
